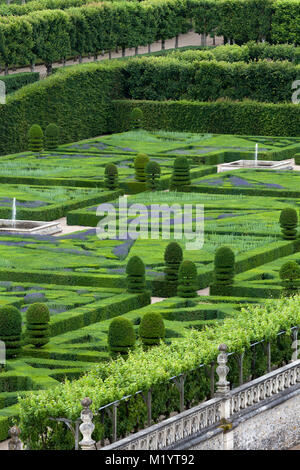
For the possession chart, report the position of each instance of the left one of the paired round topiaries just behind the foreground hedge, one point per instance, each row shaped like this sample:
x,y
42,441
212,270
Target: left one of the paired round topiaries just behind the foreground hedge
x,y
121,336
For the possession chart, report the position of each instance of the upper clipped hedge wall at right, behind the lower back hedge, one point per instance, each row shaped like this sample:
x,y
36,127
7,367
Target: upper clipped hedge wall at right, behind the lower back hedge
x,y
164,78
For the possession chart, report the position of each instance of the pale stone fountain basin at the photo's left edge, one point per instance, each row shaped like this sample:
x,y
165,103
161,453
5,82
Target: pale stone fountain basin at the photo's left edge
x,y
30,227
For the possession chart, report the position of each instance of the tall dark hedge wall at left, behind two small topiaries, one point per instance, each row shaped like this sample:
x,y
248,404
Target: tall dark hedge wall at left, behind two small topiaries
x,y
77,100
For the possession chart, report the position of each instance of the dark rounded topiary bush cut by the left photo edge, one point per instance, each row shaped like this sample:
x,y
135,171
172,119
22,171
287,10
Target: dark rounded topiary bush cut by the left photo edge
x,y
10,330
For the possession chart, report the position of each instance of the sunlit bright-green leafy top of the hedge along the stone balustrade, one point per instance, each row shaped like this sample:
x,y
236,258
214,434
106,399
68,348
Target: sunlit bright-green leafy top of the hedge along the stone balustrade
x,y
111,381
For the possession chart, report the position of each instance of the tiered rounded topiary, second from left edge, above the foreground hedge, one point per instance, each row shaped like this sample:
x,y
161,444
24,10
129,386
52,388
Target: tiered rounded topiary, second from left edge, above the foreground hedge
x,y
37,324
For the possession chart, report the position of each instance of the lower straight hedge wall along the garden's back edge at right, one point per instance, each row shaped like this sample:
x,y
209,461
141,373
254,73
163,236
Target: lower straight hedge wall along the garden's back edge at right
x,y
228,117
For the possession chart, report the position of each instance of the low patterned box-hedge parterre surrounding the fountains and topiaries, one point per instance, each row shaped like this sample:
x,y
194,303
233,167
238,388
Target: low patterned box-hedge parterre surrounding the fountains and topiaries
x,y
82,279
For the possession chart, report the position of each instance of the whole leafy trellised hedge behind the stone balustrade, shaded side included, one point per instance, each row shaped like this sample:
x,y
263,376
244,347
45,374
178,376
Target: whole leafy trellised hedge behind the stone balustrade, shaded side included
x,y
142,370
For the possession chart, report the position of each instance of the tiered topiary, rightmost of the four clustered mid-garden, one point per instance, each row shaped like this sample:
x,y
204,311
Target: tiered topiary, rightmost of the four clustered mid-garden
x,y
224,266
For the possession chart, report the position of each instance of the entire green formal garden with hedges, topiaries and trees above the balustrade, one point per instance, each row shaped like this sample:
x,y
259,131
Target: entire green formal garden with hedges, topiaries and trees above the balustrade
x,y
82,316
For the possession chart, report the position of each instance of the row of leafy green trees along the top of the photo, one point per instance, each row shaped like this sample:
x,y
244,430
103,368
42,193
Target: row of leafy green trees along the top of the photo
x,y
53,35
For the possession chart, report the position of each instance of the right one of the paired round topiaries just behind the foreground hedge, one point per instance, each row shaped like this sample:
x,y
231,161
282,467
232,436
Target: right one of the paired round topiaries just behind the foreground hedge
x,y
152,329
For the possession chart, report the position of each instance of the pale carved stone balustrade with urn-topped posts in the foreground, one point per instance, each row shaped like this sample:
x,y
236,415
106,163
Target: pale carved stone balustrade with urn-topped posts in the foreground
x,y
208,416
